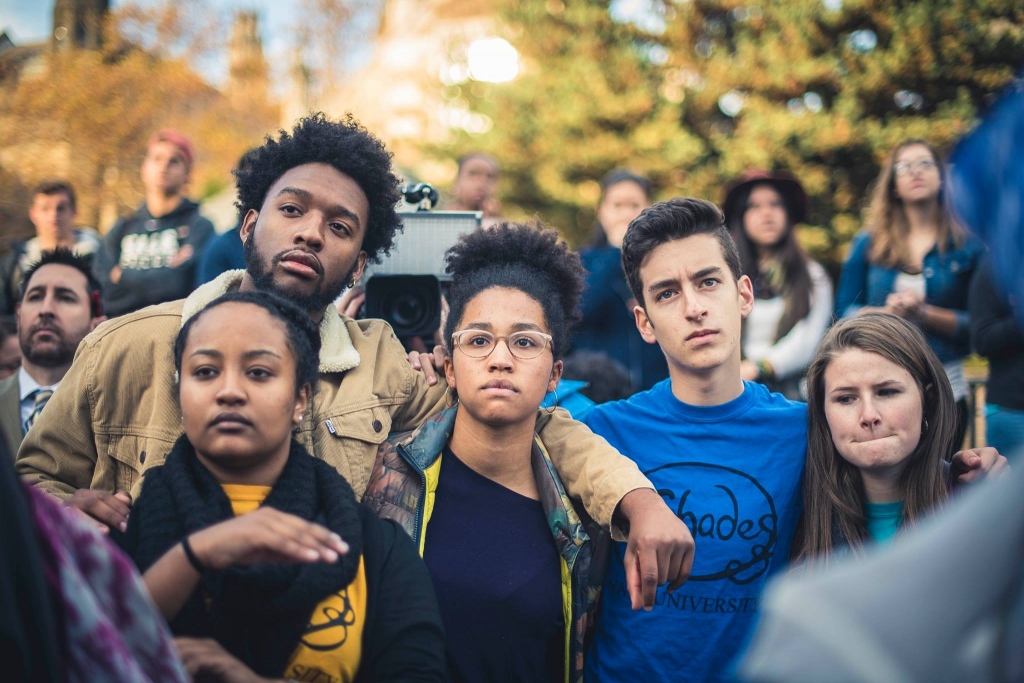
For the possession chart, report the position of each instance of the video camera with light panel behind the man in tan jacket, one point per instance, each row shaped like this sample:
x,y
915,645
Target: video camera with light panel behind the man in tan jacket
x,y
406,288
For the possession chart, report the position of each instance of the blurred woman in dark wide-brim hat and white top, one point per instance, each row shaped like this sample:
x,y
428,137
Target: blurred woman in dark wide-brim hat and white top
x,y
794,293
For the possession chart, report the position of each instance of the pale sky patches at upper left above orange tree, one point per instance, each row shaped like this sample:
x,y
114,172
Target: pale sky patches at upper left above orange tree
x,y
30,21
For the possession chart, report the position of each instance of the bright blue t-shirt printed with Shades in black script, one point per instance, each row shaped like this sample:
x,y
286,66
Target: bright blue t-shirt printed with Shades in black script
x,y
733,474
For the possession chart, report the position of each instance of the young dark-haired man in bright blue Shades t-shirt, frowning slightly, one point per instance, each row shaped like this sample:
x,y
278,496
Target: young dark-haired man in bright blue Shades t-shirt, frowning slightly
x,y
727,455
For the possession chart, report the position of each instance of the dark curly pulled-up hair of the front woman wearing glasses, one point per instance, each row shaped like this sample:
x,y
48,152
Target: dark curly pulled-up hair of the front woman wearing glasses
x,y
521,257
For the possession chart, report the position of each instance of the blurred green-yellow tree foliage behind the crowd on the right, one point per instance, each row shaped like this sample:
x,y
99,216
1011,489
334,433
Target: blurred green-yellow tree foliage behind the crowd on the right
x,y
693,93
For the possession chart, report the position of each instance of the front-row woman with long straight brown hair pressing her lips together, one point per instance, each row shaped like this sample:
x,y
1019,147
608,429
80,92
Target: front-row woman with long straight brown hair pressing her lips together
x,y
882,430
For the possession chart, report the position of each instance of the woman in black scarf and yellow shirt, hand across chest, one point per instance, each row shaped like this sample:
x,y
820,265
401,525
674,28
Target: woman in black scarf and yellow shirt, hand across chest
x,y
257,553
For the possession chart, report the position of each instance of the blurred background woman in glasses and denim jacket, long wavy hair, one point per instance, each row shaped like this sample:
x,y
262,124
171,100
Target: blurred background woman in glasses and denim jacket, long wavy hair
x,y
916,262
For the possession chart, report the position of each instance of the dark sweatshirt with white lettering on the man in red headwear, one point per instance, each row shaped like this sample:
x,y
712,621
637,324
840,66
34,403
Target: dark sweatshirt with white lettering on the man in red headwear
x,y
145,248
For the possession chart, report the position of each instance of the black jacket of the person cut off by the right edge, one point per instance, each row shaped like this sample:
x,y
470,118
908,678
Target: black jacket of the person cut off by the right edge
x,y
997,335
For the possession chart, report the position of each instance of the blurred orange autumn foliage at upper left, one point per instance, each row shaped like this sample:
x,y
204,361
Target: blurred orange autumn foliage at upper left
x,y
88,115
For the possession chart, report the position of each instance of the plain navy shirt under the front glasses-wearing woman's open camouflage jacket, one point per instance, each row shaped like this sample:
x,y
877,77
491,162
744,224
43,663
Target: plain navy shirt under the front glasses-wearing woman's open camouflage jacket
x,y
498,577
